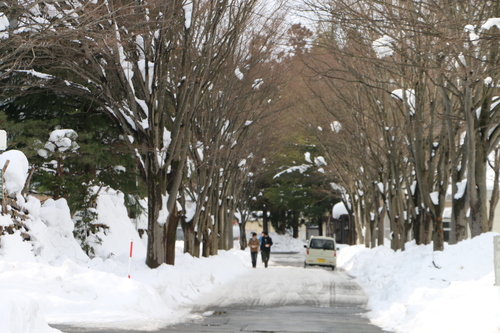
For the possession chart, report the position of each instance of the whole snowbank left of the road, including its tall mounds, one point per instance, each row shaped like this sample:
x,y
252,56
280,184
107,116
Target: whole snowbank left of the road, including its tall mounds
x,y
51,272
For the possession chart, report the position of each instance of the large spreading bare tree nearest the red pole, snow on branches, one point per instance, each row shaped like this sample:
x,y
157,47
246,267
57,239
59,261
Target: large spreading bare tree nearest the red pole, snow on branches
x,y
148,65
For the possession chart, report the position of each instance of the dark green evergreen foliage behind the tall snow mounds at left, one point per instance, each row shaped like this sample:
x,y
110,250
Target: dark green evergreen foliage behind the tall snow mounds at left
x,y
101,158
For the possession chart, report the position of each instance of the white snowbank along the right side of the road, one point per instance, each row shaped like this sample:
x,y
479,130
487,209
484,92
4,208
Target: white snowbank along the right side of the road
x,y
419,290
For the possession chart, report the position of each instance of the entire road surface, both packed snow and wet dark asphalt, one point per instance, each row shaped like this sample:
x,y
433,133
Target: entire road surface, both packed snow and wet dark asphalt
x,y
282,298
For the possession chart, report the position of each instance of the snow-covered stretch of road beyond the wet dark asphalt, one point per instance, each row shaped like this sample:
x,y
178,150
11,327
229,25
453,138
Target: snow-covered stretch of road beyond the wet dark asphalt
x,y
286,283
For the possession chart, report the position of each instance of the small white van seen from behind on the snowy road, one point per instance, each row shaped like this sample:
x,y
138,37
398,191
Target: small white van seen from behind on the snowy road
x,y
321,251
